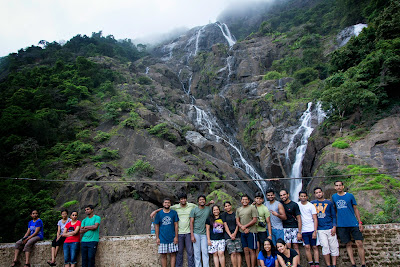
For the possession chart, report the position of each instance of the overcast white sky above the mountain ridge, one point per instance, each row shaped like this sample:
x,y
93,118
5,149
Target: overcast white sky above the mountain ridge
x,y
25,22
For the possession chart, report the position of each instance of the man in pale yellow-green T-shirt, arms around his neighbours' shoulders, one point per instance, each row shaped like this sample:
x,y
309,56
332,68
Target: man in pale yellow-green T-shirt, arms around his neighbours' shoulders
x,y
183,208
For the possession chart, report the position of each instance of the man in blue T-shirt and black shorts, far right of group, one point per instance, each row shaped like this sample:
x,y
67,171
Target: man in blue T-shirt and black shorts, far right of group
x,y
348,222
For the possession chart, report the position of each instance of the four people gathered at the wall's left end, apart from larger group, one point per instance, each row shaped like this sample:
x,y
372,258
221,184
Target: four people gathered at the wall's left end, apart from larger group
x,y
72,234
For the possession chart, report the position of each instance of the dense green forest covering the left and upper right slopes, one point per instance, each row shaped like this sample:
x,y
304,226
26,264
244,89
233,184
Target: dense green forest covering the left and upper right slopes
x,y
53,95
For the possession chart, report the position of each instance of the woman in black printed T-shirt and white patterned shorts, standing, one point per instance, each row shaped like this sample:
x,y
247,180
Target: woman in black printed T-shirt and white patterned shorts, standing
x,y
215,237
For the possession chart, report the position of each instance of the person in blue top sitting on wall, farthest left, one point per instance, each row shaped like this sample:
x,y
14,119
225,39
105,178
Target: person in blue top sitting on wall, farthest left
x,y
32,235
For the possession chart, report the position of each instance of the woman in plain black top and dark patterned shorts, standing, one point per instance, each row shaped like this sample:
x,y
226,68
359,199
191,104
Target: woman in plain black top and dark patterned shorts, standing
x,y
232,235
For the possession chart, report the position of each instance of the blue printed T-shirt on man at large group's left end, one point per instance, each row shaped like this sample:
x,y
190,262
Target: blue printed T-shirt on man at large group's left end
x,y
167,225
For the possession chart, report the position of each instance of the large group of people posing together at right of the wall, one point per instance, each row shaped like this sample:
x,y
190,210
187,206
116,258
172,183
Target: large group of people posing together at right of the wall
x,y
268,234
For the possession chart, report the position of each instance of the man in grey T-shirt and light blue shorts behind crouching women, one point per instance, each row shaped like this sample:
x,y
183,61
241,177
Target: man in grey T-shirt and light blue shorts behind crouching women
x,y
277,215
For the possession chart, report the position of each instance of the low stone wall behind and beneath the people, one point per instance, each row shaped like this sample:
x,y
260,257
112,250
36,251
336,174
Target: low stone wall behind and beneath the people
x,y
382,245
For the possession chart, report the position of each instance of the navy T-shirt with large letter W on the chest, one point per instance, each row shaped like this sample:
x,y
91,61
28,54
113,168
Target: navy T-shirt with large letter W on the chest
x,y
326,214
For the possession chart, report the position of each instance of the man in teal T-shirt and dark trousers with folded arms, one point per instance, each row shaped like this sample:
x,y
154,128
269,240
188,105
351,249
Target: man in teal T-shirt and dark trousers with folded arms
x,y
90,237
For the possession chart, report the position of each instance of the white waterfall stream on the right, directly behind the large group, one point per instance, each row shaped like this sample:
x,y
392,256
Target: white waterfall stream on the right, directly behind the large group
x,y
300,138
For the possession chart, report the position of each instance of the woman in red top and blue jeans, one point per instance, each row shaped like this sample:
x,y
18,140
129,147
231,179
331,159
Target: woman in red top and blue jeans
x,y
72,239
